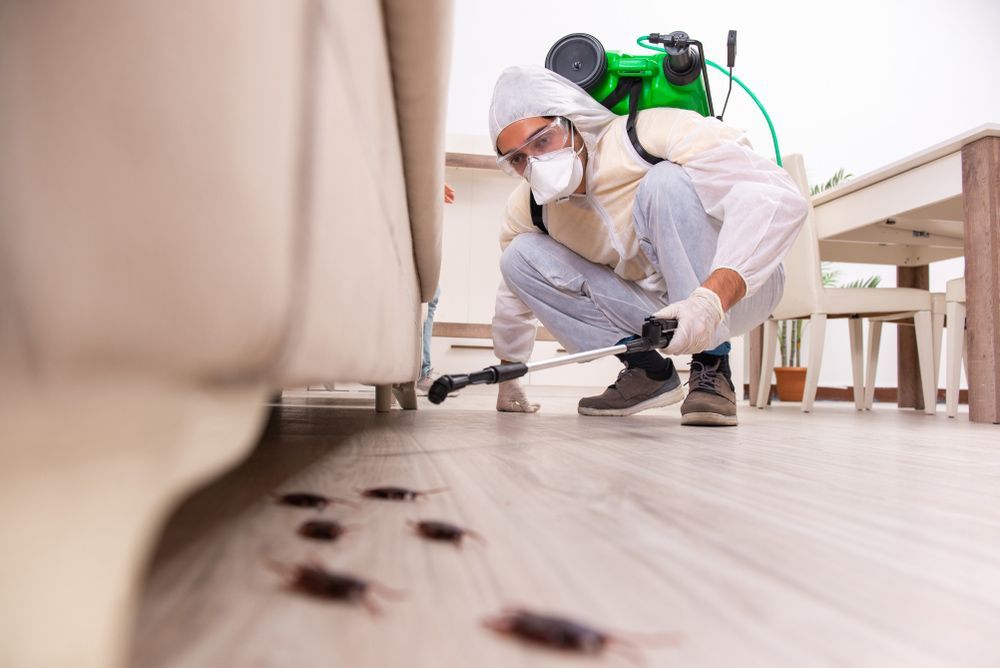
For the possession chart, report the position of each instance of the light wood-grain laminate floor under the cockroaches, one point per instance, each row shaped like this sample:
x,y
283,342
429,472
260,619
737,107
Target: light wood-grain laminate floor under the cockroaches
x,y
832,539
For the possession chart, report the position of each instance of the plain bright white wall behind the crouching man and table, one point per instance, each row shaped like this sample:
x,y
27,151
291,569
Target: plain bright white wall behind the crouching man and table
x,y
854,84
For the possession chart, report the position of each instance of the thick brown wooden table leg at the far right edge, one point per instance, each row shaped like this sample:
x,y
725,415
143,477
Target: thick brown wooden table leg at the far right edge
x,y
981,195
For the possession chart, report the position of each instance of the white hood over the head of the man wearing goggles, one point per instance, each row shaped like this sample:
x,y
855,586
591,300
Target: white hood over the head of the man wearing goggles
x,y
529,90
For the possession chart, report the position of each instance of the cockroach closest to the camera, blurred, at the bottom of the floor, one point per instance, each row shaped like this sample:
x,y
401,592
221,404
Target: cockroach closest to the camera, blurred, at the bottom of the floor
x,y
571,636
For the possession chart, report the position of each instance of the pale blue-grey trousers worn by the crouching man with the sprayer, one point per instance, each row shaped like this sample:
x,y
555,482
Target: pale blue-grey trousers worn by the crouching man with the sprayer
x,y
586,305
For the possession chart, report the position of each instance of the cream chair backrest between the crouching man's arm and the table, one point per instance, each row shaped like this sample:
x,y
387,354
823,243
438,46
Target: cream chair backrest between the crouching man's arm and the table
x,y
803,276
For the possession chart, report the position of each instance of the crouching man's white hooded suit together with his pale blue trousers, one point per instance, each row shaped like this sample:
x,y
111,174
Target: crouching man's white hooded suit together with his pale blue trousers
x,y
641,236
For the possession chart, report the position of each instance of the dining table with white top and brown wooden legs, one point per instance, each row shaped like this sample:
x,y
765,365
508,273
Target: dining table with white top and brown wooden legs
x,y
939,203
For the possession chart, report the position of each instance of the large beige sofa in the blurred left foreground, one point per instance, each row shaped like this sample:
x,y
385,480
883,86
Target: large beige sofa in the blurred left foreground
x,y
199,203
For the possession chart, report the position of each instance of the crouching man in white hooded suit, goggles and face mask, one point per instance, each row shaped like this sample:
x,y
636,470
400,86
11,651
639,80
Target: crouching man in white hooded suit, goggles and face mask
x,y
698,237
